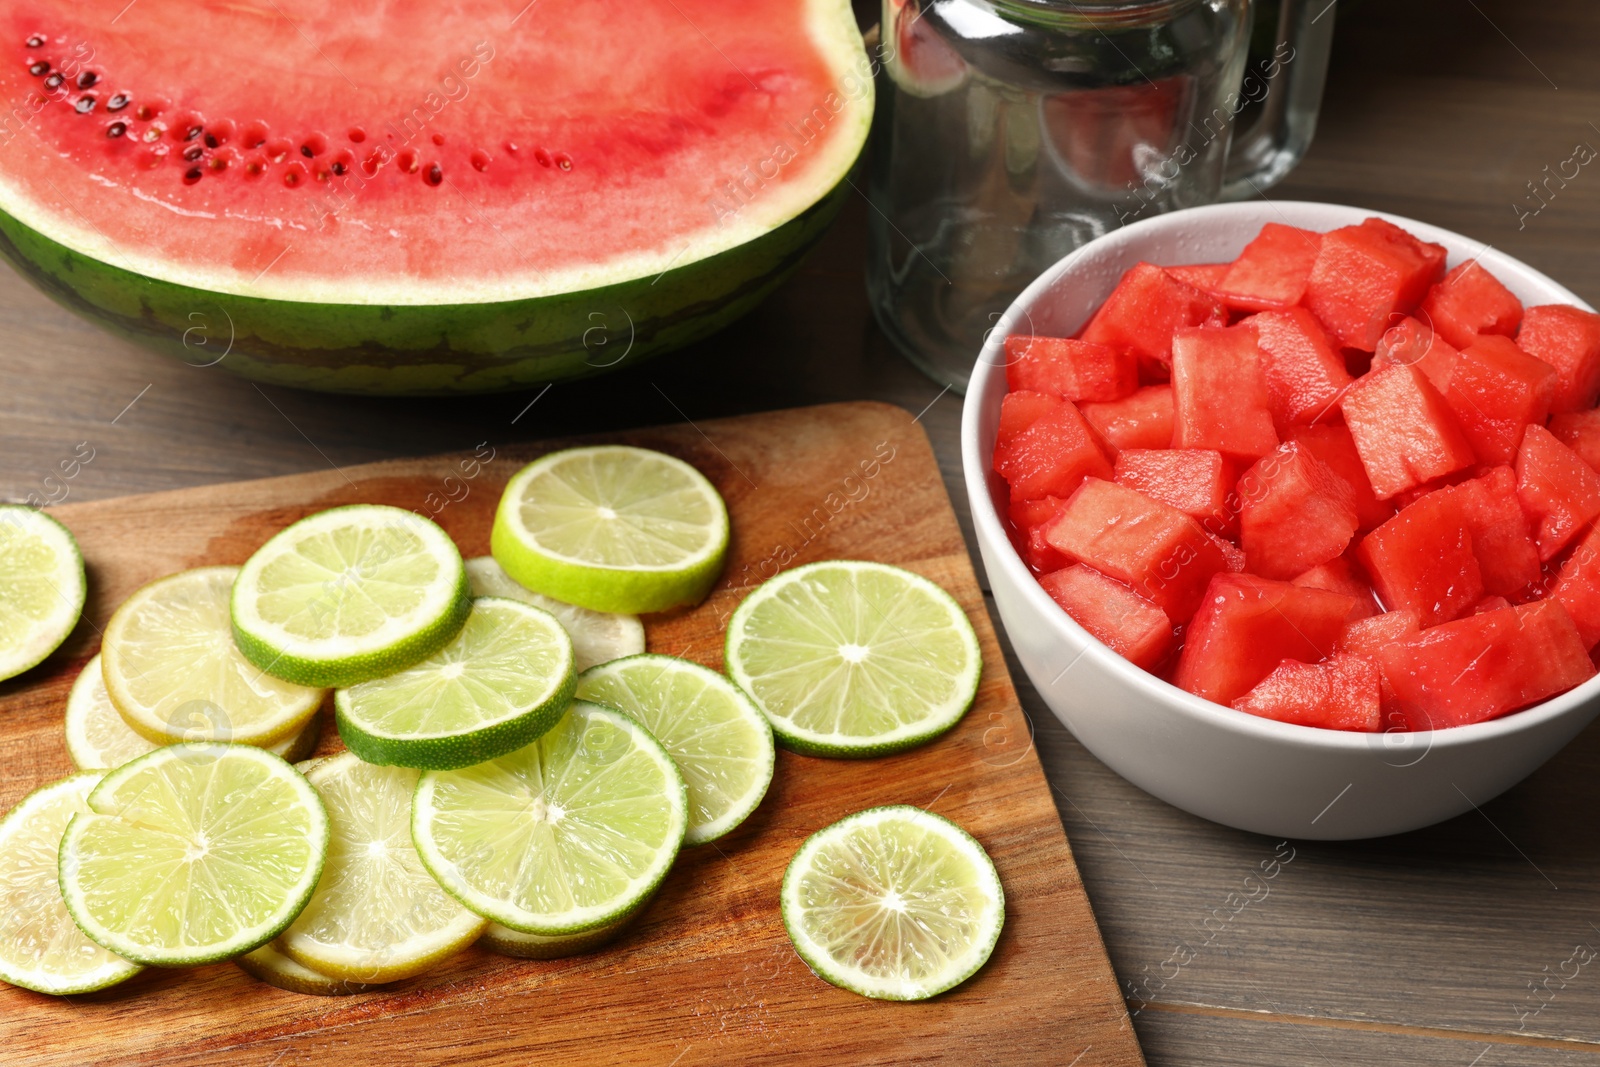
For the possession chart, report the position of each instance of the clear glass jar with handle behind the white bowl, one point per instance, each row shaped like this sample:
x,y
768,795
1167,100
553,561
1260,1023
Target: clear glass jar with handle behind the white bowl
x,y
1012,132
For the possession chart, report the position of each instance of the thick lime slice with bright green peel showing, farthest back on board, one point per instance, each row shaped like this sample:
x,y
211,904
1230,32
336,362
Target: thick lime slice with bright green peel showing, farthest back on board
x,y
612,529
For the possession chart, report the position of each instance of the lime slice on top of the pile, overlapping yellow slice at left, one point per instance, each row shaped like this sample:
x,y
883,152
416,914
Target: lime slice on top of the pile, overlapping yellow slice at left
x,y
350,594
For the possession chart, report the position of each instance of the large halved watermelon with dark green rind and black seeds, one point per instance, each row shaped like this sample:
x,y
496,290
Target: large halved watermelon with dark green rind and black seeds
x,y
423,198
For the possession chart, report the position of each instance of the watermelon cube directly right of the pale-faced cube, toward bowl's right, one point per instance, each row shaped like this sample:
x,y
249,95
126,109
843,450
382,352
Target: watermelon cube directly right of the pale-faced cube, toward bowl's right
x,y
1495,391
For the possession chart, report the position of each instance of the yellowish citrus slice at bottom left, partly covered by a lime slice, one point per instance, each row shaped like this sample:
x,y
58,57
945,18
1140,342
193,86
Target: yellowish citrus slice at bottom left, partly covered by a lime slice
x,y
41,948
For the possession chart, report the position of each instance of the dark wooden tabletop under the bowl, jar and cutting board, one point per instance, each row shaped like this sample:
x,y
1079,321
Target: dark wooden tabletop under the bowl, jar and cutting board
x,y
1474,943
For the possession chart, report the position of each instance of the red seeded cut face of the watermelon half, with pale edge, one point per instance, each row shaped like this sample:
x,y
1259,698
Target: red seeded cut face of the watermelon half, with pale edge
x,y
425,153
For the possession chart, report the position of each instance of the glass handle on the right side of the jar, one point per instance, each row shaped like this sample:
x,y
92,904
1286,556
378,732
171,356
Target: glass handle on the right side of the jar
x,y
1289,84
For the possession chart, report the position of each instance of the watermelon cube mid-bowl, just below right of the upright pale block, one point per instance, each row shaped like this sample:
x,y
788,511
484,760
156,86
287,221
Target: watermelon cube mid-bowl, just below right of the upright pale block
x,y
1295,513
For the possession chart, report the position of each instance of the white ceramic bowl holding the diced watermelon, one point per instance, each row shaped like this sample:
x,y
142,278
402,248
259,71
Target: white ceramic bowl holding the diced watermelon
x,y
1225,765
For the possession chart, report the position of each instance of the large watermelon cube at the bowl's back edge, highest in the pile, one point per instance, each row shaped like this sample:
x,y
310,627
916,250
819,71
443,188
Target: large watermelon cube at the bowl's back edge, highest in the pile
x,y
1367,274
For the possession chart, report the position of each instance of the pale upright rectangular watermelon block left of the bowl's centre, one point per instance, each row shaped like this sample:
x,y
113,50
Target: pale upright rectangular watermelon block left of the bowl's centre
x,y
1220,393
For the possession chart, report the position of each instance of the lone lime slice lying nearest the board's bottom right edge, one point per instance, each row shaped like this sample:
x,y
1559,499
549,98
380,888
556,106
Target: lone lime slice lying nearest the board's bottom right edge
x,y
894,903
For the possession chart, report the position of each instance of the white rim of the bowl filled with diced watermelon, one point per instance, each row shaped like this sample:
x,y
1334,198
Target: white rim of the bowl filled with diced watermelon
x,y
988,385
